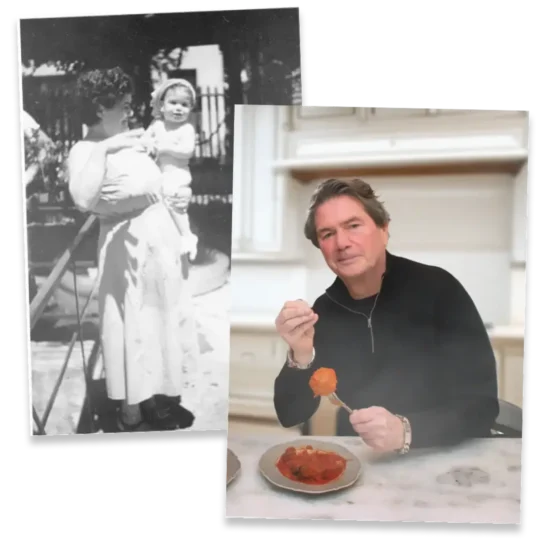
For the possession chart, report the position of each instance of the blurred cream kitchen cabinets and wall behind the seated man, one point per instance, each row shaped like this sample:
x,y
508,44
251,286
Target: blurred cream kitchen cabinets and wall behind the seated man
x,y
455,181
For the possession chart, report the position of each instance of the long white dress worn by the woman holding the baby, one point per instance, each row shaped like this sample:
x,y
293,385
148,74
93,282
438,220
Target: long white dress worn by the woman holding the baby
x,y
148,332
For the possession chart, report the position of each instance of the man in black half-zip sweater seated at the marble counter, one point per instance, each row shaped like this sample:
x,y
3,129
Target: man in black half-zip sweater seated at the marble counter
x,y
412,357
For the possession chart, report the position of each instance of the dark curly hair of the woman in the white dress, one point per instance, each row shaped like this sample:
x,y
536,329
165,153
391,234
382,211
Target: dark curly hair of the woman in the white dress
x,y
101,87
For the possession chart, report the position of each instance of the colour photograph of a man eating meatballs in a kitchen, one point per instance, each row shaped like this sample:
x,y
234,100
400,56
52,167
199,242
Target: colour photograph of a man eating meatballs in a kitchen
x,y
377,368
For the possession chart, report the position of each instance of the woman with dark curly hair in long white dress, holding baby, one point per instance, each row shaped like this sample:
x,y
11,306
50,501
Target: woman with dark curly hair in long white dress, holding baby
x,y
147,326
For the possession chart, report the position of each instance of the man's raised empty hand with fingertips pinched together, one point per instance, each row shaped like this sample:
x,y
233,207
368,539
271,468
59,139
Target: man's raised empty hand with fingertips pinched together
x,y
295,324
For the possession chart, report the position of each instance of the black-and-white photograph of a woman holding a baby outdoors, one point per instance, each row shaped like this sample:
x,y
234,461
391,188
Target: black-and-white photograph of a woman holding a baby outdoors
x,y
126,161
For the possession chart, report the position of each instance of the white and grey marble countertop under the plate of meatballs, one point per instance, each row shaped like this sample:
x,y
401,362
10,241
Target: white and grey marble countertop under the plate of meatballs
x,y
421,486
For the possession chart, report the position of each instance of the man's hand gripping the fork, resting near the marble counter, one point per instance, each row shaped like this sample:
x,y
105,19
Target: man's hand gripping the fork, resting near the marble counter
x,y
378,428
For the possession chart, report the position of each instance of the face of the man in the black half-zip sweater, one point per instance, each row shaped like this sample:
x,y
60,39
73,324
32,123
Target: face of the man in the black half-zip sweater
x,y
349,239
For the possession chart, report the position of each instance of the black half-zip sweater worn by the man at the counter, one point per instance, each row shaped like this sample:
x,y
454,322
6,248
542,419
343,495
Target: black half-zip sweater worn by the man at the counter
x,y
426,356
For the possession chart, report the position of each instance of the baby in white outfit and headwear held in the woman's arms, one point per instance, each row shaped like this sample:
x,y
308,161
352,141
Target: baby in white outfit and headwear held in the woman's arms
x,y
172,139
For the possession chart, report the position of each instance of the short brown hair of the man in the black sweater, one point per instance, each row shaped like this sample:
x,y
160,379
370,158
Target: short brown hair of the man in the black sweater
x,y
357,189
